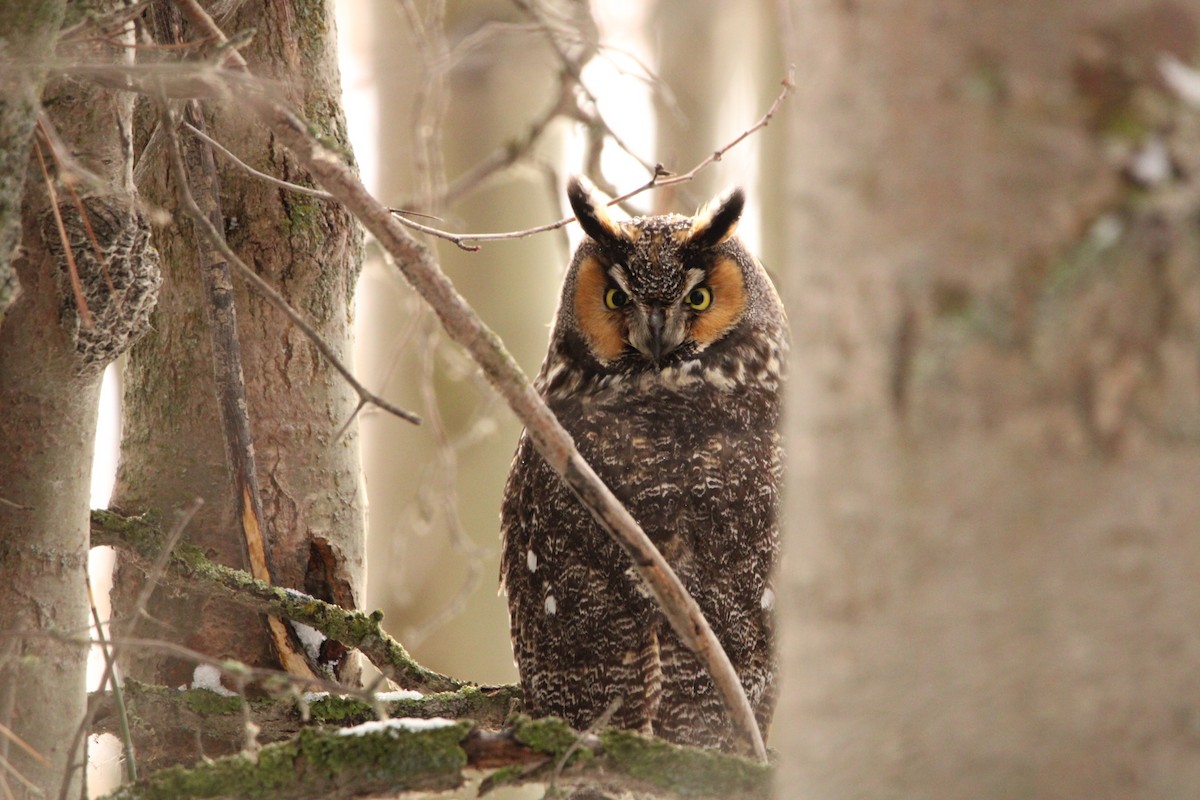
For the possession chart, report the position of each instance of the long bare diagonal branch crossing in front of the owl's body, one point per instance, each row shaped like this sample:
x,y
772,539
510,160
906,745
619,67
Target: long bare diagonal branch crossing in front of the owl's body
x,y
553,442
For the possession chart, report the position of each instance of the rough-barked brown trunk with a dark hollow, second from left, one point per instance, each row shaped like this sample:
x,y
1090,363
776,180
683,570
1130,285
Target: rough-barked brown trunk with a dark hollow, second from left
x,y
172,450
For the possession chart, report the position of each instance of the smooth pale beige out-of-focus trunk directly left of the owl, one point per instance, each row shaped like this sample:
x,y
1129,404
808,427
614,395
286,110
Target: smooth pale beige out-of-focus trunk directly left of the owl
x,y
423,506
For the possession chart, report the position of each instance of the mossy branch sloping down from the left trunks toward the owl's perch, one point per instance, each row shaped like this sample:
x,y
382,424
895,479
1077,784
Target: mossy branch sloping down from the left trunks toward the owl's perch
x,y
141,542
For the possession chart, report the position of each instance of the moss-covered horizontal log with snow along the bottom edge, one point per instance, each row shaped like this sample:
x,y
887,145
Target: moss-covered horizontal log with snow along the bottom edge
x,y
397,756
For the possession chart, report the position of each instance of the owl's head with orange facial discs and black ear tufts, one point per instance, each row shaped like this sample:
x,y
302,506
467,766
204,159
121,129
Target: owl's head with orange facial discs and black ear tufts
x,y
652,292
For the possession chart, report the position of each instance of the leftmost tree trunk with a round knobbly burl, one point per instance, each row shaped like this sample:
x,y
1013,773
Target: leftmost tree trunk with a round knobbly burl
x,y
55,346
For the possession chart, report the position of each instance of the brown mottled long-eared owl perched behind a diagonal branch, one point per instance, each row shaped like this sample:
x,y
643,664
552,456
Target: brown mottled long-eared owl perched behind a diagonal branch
x,y
665,366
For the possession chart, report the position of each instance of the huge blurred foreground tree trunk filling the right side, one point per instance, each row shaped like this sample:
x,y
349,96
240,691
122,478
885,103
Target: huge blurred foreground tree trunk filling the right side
x,y
991,585
